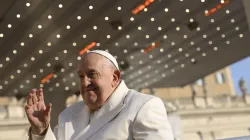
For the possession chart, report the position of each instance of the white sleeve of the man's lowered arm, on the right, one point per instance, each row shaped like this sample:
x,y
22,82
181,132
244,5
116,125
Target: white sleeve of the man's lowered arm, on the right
x,y
151,122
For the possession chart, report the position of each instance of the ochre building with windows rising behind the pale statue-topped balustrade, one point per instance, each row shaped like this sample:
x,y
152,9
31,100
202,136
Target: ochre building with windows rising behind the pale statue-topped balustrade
x,y
216,84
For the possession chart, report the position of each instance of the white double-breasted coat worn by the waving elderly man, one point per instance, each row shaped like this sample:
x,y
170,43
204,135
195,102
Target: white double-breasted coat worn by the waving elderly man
x,y
127,115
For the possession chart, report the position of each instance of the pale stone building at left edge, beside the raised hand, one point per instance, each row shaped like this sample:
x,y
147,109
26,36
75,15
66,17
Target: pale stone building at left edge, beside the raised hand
x,y
13,121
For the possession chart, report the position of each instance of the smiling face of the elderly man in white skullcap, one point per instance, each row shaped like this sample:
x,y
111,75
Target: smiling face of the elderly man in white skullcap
x,y
97,80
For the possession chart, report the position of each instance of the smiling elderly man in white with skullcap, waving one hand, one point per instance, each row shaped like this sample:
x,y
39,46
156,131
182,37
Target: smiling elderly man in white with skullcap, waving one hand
x,y
109,111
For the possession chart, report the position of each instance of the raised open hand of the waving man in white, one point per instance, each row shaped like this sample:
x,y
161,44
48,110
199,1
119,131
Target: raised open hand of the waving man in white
x,y
38,114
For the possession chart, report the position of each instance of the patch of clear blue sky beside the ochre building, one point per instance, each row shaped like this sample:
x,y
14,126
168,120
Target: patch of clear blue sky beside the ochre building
x,y
238,70
